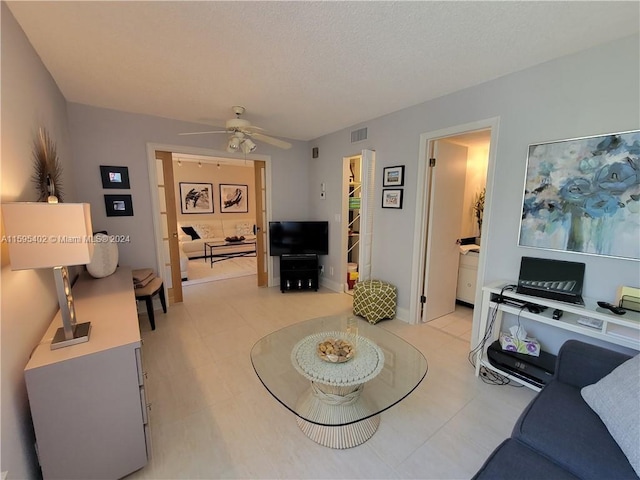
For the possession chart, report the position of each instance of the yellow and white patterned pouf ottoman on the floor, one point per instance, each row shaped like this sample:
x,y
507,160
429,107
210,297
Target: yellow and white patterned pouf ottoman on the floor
x,y
374,300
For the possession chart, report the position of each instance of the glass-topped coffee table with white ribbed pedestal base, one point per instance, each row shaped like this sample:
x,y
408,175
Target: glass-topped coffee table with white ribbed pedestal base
x,y
337,404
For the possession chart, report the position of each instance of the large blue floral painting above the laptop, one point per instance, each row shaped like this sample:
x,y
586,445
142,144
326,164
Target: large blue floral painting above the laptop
x,y
583,195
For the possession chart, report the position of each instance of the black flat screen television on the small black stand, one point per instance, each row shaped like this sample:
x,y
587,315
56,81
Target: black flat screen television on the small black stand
x,y
297,238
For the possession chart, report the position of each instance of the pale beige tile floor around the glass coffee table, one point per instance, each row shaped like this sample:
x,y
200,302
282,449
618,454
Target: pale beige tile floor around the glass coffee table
x,y
212,418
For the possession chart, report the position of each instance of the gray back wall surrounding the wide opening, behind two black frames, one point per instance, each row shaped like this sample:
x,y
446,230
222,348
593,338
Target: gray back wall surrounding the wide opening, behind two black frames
x,y
107,137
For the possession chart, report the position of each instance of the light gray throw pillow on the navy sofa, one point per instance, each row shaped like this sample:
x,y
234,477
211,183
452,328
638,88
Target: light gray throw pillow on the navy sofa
x,y
615,398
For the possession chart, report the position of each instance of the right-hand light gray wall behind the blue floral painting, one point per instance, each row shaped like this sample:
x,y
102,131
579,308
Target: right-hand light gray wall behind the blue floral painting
x,y
593,92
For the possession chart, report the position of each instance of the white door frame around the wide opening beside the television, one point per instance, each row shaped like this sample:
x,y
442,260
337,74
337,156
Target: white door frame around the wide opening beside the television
x,y
155,200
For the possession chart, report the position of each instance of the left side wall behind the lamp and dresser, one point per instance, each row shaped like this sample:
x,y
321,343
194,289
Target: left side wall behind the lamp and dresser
x,y
30,99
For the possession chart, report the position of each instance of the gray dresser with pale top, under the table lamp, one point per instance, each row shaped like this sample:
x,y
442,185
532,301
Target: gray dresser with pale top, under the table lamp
x,y
87,401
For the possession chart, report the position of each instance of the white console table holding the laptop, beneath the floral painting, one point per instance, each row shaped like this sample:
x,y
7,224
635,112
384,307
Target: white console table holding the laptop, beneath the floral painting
x,y
621,330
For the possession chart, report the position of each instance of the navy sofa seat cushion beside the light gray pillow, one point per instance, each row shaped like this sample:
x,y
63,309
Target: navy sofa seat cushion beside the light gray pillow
x,y
560,425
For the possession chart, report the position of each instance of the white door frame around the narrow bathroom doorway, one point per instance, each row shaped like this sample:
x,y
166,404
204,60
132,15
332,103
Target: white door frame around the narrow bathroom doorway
x,y
422,202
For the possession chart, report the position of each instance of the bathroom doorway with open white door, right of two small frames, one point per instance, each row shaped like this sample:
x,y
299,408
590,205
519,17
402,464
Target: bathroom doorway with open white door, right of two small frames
x,y
454,175
